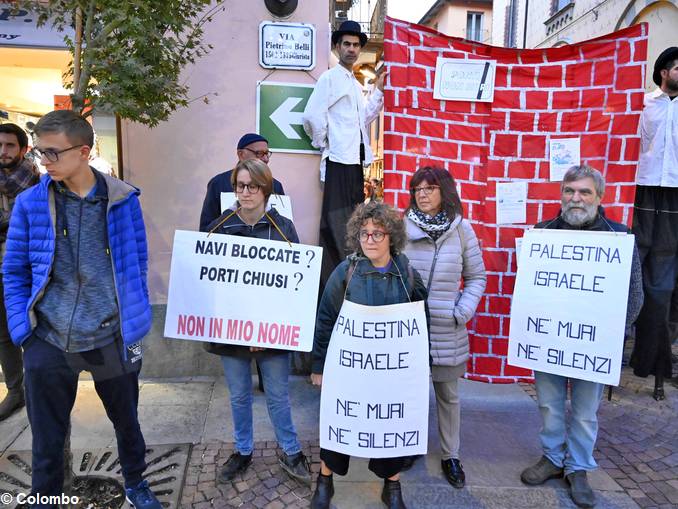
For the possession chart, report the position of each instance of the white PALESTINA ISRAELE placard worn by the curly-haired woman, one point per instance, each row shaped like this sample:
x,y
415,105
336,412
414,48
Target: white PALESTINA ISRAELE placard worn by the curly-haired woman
x,y
374,400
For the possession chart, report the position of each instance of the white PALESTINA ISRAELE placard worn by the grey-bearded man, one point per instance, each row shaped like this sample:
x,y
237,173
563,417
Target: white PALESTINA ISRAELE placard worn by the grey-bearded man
x,y
568,314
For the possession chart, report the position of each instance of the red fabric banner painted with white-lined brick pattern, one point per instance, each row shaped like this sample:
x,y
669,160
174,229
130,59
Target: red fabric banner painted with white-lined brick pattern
x,y
593,90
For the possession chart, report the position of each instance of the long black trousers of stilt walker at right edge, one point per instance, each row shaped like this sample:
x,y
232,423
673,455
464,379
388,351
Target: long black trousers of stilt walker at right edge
x,y
655,225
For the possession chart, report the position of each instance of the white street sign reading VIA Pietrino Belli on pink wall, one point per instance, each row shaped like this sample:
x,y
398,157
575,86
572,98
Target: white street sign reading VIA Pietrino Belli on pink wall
x,y
287,45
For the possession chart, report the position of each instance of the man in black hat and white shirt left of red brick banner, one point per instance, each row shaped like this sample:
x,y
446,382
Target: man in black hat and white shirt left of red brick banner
x,y
336,119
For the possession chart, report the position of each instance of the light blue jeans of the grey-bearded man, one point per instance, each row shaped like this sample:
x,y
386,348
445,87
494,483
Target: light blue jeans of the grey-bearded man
x,y
572,450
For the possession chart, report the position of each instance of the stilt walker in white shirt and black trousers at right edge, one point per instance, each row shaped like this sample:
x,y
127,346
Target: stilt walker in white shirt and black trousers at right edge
x,y
655,221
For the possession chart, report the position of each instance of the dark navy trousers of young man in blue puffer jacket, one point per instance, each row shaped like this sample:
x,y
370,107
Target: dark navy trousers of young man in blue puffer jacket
x,y
51,378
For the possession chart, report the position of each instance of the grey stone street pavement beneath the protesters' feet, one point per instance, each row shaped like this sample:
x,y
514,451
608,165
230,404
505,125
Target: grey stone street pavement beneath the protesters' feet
x,y
637,448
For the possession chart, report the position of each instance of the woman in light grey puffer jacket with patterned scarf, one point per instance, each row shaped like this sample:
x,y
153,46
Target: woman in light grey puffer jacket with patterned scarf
x,y
443,248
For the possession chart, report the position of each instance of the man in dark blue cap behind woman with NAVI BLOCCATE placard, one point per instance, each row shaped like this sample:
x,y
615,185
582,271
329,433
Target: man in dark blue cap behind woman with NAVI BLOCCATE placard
x,y
250,146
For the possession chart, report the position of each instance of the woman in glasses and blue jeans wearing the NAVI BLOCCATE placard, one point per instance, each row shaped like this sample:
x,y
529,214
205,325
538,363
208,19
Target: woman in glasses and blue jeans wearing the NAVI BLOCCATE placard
x,y
251,216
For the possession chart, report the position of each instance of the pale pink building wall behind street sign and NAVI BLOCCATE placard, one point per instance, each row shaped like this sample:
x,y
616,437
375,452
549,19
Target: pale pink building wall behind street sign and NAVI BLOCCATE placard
x,y
173,162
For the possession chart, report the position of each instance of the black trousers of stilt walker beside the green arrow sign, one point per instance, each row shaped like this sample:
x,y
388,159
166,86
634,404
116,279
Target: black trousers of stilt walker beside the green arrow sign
x,y
343,192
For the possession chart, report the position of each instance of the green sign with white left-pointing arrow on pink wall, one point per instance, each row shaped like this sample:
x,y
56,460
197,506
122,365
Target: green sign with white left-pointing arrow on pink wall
x,y
279,110
